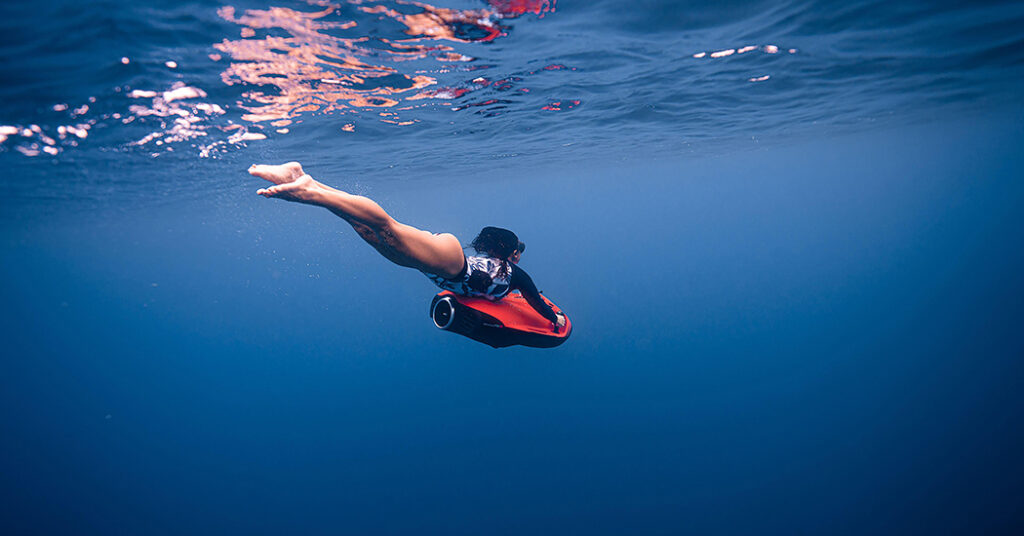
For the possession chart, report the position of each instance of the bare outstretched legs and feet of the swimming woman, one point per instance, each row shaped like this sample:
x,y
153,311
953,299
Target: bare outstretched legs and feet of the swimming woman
x,y
402,244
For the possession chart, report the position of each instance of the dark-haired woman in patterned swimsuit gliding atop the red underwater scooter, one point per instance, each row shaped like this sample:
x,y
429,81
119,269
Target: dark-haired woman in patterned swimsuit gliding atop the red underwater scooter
x,y
440,257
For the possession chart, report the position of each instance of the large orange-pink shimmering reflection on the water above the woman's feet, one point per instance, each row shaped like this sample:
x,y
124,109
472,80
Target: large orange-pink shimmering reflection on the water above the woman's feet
x,y
313,71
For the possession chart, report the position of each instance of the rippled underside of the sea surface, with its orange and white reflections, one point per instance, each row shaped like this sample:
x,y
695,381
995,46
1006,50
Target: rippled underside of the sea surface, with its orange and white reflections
x,y
451,84
